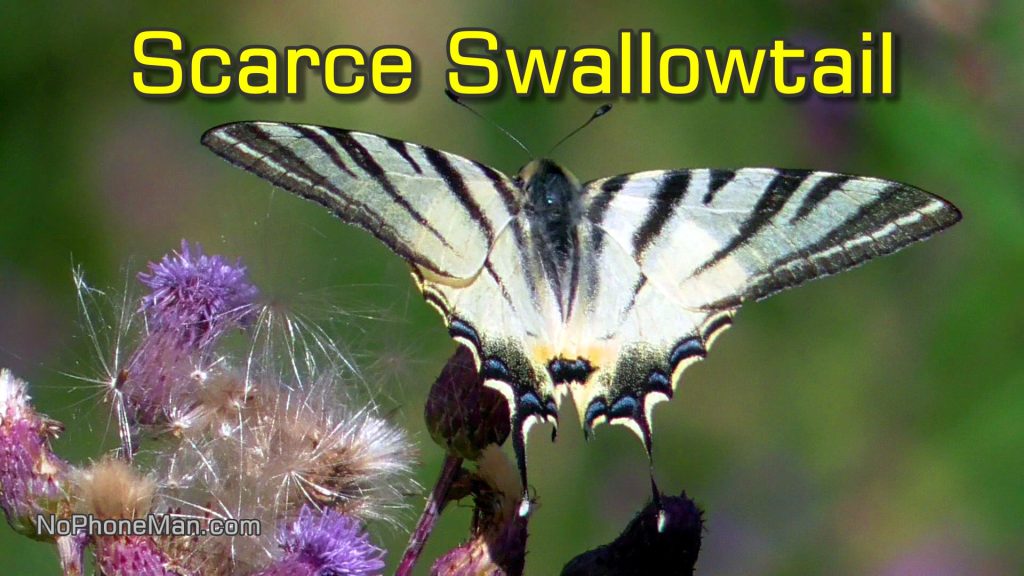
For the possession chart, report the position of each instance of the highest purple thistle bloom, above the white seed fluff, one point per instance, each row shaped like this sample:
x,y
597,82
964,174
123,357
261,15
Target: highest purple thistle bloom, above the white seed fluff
x,y
196,296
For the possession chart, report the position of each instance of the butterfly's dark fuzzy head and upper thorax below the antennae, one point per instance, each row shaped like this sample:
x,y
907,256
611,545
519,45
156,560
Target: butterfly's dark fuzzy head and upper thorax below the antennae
x,y
552,191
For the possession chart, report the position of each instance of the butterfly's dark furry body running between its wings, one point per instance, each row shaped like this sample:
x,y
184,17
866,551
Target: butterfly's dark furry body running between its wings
x,y
553,210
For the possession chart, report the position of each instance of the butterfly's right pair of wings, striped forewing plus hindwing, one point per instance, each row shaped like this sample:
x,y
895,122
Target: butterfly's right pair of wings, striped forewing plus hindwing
x,y
706,241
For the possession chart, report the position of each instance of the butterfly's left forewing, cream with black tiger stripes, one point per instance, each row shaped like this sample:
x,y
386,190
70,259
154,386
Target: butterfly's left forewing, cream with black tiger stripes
x,y
440,212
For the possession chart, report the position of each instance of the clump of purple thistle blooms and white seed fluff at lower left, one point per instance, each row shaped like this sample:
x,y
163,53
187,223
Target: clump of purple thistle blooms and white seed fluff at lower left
x,y
210,431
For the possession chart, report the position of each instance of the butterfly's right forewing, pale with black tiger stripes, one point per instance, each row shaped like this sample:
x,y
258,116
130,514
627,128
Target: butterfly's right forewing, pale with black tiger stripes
x,y
724,237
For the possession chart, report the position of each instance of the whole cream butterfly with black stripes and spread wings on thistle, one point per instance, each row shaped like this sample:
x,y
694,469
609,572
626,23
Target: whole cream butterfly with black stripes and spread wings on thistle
x,y
606,291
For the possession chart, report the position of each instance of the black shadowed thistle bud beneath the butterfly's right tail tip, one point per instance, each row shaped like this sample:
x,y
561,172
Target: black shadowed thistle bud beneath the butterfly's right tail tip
x,y
643,549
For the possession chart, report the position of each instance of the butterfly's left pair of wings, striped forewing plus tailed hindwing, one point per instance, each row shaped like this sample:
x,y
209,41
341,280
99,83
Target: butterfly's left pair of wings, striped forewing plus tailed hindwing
x,y
458,223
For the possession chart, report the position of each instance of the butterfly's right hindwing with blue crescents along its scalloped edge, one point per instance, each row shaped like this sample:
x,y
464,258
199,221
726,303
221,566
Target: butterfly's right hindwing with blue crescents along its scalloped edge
x,y
635,339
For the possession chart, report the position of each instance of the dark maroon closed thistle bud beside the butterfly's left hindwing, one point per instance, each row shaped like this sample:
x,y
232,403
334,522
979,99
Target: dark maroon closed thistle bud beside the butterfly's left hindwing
x,y
463,416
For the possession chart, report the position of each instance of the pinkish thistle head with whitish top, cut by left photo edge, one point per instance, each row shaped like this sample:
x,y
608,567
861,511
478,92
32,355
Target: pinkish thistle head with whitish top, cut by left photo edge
x,y
31,476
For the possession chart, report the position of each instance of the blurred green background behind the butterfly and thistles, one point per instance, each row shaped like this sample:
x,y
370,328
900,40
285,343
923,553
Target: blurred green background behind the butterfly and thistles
x,y
871,424
